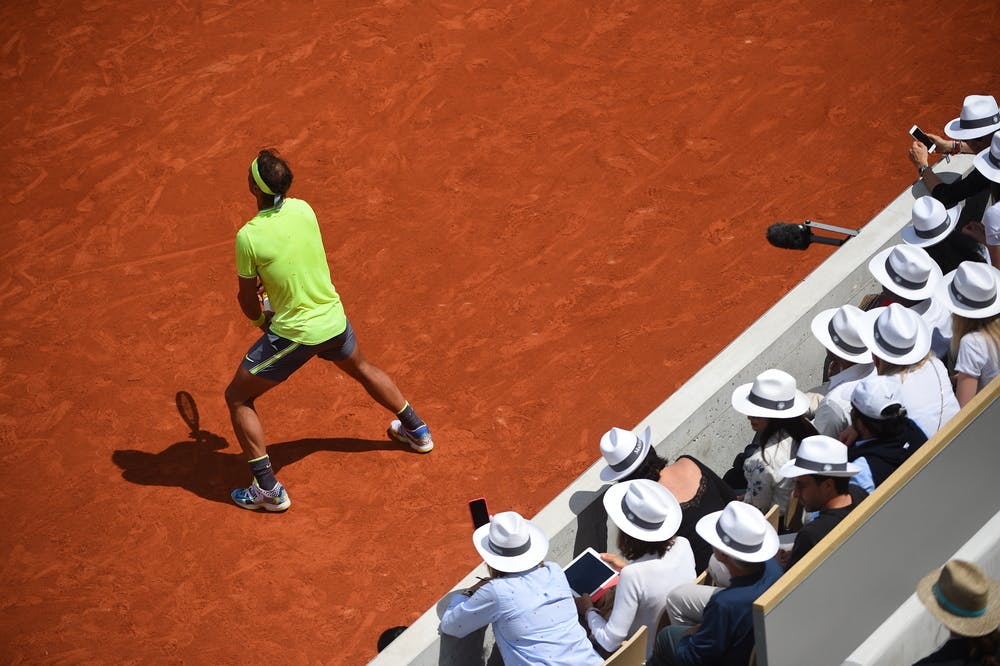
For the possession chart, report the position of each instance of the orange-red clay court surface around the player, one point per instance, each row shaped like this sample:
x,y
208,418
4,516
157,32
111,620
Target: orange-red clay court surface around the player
x,y
542,217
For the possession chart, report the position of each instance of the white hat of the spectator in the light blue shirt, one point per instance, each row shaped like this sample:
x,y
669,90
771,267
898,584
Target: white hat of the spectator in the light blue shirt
x,y
509,543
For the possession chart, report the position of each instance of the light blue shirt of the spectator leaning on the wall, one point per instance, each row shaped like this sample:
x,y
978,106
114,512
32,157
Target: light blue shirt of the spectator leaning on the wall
x,y
533,615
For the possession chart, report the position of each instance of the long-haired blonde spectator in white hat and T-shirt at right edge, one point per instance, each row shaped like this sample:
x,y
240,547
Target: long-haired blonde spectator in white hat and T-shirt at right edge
x,y
971,294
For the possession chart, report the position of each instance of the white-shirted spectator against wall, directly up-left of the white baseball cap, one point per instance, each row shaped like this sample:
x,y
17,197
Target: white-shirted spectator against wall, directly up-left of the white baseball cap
x,y
849,361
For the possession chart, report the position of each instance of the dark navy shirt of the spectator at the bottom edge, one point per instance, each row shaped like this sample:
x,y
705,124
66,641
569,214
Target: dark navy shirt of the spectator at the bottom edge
x,y
726,632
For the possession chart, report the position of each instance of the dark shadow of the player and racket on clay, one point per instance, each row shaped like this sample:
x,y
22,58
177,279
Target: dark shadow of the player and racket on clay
x,y
199,465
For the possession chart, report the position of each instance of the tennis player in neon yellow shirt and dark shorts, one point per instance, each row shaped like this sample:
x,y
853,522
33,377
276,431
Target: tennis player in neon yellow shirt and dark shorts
x,y
281,249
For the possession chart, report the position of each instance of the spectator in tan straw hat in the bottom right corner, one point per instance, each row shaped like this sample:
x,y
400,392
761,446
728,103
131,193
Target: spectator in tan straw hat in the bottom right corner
x,y
967,602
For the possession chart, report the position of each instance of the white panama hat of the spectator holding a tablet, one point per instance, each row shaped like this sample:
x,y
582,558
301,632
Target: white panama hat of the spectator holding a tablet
x,y
643,509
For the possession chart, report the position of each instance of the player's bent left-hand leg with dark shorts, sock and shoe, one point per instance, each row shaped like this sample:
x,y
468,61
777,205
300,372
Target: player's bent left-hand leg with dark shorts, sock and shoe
x,y
270,361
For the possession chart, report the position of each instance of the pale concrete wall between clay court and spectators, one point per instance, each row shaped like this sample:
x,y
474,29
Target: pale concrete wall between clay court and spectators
x,y
697,419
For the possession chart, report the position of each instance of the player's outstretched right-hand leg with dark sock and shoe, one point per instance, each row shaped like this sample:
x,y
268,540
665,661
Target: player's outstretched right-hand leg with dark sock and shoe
x,y
408,427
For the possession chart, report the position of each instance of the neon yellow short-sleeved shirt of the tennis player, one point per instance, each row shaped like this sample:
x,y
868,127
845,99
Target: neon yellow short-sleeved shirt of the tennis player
x,y
284,248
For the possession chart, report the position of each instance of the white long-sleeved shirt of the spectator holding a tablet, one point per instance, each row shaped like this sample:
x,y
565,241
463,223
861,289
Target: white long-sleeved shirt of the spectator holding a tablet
x,y
641,595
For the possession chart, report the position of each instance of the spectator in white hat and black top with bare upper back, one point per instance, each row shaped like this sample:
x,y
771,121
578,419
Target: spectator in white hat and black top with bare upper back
x,y
699,490
